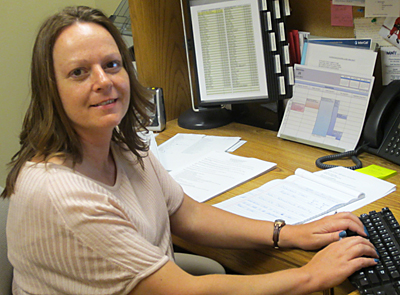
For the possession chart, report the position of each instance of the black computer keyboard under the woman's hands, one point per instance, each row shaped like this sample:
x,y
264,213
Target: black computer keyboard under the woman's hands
x,y
384,233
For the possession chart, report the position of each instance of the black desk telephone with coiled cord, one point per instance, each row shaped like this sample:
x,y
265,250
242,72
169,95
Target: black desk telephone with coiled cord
x,y
381,133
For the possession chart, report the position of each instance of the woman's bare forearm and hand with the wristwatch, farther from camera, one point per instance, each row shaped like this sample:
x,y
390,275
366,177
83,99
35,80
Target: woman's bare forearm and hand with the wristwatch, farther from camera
x,y
206,225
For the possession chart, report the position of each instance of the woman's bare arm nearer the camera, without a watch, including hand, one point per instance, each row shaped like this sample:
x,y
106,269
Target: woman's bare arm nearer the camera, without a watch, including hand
x,y
328,268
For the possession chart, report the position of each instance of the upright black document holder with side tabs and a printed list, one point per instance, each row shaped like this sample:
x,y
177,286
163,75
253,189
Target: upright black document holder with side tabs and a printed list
x,y
233,59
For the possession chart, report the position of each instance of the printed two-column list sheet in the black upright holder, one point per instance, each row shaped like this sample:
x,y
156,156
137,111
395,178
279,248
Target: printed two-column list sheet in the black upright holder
x,y
228,43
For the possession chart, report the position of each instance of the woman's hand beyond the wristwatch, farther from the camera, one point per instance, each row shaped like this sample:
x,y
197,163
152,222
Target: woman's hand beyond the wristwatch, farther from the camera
x,y
319,233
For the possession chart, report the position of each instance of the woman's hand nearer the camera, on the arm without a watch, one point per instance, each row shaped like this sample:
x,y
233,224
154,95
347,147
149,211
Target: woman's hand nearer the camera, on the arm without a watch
x,y
335,263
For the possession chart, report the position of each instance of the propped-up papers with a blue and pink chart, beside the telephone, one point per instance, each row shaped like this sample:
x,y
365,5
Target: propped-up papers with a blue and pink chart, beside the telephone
x,y
330,97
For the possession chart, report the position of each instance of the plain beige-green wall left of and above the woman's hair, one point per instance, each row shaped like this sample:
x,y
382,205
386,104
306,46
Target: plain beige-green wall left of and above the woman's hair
x,y
19,22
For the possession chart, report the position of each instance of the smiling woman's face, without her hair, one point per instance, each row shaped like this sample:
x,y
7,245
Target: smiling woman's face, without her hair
x,y
91,81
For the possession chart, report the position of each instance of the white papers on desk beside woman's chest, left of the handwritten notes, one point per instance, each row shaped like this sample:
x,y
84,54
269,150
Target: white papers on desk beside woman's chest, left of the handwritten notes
x,y
201,165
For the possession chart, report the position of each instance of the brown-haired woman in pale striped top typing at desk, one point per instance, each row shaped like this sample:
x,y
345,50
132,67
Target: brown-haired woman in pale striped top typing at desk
x,y
92,210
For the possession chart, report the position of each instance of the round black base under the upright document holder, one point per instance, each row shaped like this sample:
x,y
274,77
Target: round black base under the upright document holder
x,y
205,118
